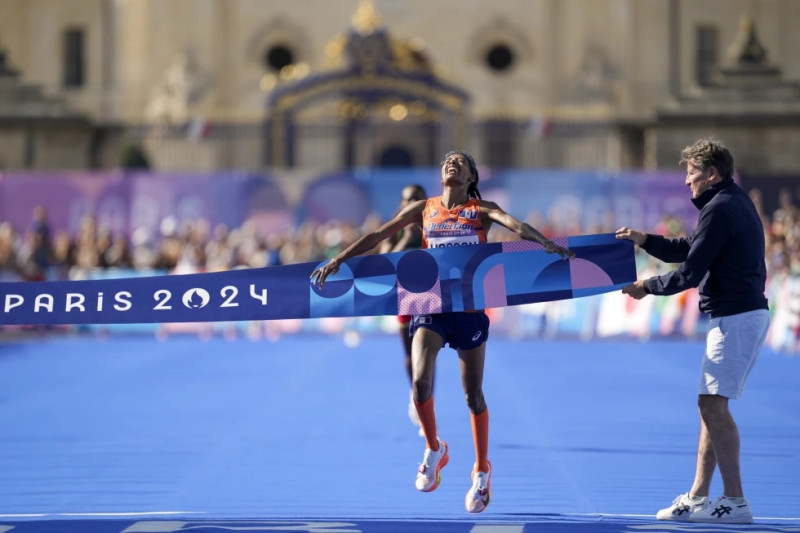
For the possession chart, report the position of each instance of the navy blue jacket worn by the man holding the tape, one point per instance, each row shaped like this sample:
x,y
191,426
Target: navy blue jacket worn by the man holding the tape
x,y
724,255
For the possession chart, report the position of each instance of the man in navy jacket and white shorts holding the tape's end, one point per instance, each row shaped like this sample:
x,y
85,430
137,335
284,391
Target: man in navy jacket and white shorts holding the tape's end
x,y
724,256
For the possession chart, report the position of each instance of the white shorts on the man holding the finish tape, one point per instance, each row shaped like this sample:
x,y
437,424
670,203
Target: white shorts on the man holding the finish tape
x,y
732,347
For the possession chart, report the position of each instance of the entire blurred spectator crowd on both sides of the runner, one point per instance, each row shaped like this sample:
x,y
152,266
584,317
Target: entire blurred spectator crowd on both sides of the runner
x,y
38,253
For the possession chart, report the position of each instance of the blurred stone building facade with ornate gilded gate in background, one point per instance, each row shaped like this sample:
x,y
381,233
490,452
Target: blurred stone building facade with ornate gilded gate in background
x,y
207,84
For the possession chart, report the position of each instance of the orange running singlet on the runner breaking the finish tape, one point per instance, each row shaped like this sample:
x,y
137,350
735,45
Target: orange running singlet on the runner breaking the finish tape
x,y
443,227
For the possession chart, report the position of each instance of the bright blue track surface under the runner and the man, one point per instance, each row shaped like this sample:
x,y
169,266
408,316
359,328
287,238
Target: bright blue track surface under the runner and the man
x,y
136,435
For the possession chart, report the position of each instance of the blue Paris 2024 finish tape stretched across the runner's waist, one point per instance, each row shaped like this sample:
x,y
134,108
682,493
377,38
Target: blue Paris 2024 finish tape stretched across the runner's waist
x,y
462,278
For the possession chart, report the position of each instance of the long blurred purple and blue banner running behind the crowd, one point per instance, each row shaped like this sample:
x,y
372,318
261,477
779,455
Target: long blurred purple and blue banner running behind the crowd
x,y
564,201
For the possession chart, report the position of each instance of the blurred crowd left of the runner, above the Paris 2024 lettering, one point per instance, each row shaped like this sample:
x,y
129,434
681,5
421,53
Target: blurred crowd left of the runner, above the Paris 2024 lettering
x,y
37,253
